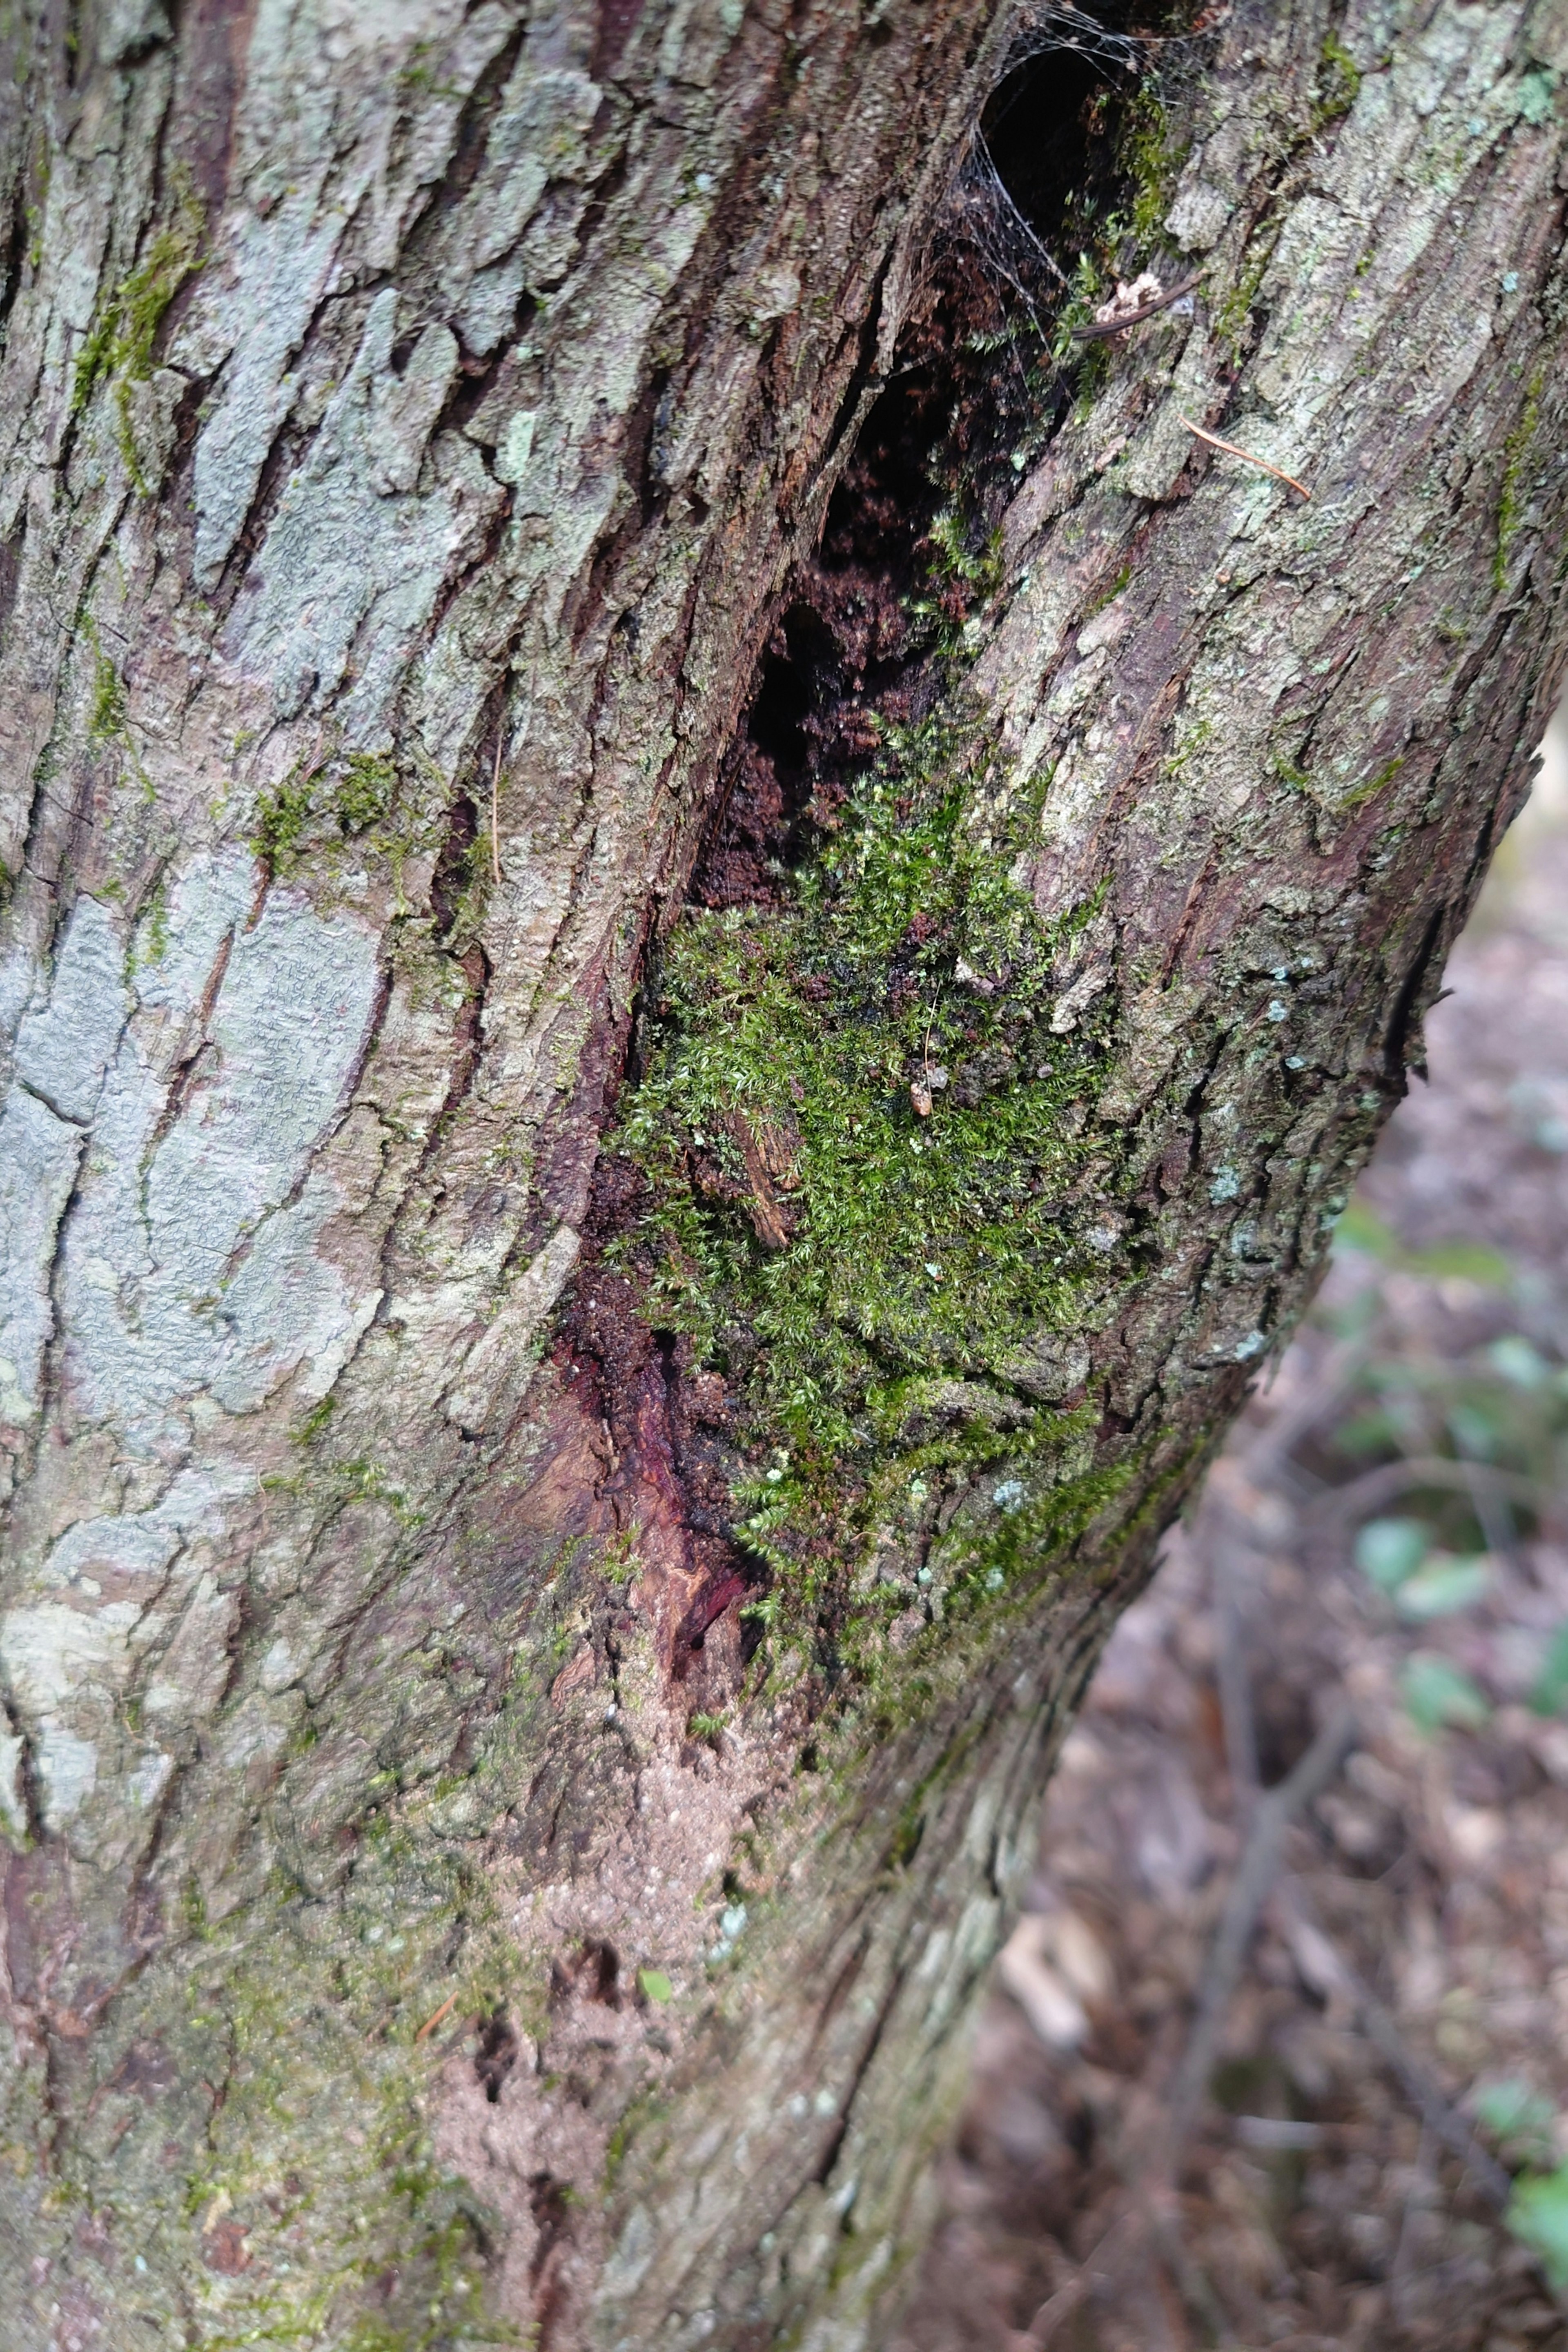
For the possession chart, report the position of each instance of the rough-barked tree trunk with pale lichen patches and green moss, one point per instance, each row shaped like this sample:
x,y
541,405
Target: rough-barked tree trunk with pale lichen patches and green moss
x,y
702,928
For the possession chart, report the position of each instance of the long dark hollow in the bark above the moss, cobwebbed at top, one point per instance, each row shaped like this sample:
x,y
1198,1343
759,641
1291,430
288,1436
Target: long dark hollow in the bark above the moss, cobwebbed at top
x,y
930,476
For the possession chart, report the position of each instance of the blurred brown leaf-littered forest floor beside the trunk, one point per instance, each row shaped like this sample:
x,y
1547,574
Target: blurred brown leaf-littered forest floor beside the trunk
x,y
1379,2057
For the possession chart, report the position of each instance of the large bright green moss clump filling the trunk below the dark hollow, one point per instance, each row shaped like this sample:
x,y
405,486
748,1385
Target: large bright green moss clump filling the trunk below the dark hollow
x,y
869,1189
